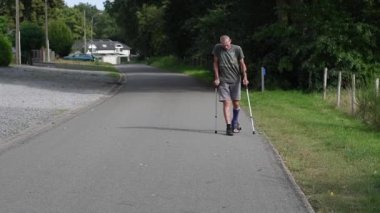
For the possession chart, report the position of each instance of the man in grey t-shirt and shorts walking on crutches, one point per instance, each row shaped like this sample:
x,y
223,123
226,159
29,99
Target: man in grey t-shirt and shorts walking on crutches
x,y
229,66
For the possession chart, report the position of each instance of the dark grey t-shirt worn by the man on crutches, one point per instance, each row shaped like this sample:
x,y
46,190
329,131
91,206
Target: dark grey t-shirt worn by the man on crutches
x,y
229,68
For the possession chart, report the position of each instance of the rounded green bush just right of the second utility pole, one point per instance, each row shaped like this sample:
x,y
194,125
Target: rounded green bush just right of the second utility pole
x,y
60,37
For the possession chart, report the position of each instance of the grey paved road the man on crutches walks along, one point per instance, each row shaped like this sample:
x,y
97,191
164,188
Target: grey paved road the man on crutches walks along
x,y
149,149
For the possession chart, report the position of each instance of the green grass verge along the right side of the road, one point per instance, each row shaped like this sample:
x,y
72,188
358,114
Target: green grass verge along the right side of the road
x,y
334,158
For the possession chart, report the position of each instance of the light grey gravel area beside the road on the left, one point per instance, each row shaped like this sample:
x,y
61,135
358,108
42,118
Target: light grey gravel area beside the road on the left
x,y
32,97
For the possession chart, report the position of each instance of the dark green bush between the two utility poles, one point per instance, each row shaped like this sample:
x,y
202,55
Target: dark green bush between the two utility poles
x,y
32,37
